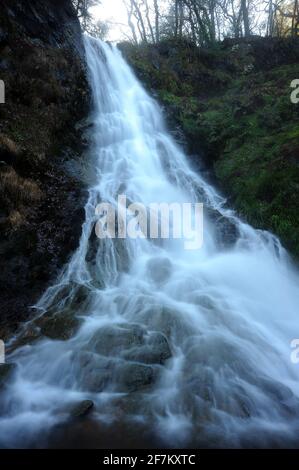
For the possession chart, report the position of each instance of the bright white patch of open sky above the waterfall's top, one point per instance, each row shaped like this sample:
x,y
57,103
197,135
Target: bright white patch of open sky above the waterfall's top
x,y
113,11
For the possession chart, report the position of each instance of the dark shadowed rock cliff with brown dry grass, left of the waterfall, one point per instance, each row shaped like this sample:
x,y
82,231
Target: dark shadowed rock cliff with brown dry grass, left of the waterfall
x,y
42,65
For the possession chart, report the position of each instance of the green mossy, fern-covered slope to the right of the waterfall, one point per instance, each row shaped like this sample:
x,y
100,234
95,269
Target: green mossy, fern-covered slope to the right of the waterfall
x,y
233,104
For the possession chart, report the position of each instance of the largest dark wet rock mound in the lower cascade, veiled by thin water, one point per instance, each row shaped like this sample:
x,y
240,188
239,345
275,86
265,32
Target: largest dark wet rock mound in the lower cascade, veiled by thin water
x,y
121,359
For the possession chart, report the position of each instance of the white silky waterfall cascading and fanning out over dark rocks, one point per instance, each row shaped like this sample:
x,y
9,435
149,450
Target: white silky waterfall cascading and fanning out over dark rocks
x,y
191,346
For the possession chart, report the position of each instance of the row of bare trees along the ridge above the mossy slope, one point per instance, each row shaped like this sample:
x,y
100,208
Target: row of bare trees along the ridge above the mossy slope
x,y
206,21
